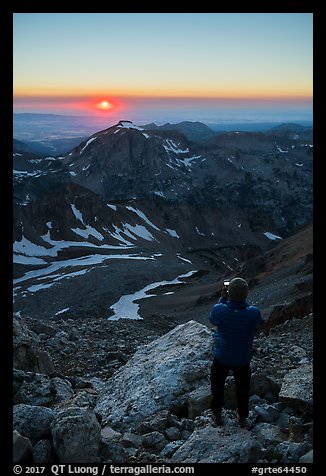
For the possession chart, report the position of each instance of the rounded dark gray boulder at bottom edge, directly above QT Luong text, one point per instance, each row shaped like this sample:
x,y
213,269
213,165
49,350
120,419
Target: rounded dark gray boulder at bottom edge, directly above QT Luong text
x,y
76,436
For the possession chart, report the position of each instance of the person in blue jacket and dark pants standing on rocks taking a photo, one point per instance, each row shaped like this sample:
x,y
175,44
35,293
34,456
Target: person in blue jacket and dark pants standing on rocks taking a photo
x,y
236,324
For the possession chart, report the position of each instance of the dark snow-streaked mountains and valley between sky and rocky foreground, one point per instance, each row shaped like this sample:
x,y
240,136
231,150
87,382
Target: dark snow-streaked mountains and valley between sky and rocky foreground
x,y
158,212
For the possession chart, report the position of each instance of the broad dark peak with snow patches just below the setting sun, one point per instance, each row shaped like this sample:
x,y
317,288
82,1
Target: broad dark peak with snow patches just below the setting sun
x,y
125,161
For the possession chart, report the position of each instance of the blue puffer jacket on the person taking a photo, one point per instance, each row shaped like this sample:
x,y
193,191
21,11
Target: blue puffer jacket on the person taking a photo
x,y
236,326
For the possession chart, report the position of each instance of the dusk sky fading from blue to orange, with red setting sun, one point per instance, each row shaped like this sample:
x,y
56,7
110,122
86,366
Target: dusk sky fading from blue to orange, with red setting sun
x,y
211,67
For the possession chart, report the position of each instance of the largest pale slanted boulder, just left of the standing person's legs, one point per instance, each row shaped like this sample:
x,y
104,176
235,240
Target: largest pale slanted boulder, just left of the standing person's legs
x,y
157,376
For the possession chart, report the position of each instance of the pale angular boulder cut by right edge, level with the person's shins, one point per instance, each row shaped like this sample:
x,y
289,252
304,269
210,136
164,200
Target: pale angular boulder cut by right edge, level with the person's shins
x,y
297,388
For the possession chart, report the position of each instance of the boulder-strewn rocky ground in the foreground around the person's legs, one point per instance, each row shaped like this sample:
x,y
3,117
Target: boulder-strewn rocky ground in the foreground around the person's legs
x,y
94,391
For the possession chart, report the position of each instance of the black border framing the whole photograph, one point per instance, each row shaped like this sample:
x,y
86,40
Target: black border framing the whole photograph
x,y
59,6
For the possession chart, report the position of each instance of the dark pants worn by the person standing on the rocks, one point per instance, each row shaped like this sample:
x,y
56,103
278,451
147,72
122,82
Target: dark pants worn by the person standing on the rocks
x,y
242,376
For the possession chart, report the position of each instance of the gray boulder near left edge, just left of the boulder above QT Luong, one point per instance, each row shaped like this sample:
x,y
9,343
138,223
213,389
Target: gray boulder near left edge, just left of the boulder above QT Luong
x,y
33,422
